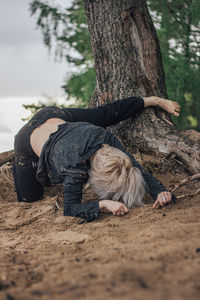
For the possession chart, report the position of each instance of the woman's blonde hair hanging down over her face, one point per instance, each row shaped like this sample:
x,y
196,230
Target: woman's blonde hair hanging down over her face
x,y
113,177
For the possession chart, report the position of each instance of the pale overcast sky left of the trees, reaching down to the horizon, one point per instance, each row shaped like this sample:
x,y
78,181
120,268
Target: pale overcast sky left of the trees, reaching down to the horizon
x,y
27,71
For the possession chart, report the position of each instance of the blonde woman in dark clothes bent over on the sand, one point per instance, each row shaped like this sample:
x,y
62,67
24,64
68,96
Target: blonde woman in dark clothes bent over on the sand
x,y
64,145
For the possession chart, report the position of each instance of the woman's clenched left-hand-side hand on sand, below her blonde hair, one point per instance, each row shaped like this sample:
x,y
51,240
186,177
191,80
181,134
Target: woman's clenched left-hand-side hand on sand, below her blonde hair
x,y
115,207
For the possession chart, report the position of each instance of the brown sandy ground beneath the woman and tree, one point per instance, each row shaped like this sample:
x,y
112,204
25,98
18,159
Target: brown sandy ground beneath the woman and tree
x,y
147,254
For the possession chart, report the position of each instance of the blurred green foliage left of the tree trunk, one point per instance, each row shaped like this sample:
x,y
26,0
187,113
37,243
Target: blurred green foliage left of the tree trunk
x,y
68,31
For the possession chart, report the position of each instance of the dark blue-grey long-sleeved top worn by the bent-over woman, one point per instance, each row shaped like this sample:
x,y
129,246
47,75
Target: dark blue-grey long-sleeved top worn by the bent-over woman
x,y
64,159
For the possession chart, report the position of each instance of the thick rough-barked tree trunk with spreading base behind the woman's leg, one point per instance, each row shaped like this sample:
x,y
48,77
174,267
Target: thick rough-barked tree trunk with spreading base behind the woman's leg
x,y
128,62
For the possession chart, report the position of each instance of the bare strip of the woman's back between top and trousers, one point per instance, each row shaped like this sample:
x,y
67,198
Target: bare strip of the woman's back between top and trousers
x,y
41,134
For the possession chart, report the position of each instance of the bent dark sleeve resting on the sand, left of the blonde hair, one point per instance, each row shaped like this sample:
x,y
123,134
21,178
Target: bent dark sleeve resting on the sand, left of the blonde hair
x,y
73,183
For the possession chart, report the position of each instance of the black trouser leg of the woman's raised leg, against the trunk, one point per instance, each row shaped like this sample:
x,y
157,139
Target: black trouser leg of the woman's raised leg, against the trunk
x,y
108,114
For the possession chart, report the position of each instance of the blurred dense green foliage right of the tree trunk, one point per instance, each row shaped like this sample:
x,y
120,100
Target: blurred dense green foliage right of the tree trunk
x,y
178,28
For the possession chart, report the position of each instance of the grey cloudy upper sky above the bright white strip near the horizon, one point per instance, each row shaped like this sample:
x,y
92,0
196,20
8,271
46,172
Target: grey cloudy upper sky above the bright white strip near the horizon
x,y
26,69
